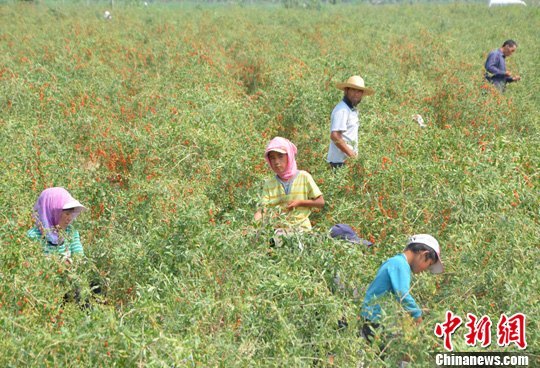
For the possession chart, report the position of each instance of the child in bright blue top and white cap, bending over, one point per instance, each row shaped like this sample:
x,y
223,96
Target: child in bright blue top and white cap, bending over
x,y
394,277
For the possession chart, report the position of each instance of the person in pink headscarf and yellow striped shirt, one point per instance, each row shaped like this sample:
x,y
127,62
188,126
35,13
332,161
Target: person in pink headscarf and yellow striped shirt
x,y
293,192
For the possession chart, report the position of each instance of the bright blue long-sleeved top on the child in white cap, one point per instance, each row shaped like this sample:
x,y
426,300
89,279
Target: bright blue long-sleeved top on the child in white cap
x,y
394,276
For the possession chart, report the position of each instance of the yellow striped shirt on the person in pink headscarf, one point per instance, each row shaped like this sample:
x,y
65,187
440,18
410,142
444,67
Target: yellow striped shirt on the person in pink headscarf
x,y
302,188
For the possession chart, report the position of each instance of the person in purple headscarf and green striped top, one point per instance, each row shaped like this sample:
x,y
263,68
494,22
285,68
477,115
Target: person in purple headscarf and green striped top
x,y
54,211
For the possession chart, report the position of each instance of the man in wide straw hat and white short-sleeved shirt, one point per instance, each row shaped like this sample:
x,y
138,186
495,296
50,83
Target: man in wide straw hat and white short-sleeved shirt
x,y
345,122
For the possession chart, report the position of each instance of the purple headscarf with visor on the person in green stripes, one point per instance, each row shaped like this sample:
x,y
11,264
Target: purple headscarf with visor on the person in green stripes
x,y
48,210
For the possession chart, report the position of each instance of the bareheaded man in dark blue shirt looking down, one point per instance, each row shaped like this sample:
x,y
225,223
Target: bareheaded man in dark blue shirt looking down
x,y
496,72
